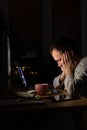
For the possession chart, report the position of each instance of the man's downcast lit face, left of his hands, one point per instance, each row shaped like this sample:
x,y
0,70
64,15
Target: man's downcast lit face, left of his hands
x,y
57,56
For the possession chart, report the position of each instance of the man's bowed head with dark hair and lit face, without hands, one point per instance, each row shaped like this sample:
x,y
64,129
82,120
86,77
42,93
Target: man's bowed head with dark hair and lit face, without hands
x,y
60,46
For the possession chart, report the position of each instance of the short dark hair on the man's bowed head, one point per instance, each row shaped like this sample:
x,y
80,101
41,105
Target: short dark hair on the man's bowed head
x,y
64,44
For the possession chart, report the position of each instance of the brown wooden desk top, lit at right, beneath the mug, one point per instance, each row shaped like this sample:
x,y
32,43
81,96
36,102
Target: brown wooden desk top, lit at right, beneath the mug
x,y
80,103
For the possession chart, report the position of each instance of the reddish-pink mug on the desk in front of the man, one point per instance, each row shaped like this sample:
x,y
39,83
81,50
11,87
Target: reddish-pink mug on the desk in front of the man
x,y
42,88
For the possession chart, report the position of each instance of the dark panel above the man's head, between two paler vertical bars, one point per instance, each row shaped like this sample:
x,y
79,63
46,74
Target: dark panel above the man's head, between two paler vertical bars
x,y
66,19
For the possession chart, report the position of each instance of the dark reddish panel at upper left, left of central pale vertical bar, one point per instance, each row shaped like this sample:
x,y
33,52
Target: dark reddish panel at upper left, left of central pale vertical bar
x,y
25,26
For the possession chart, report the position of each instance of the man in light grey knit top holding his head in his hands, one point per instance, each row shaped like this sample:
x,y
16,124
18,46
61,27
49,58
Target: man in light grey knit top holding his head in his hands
x,y
74,68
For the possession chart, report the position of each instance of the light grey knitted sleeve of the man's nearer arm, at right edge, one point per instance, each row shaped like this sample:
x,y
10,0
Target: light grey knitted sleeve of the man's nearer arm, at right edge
x,y
77,83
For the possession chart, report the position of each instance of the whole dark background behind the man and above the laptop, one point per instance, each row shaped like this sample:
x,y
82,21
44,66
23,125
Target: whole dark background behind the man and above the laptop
x,y
33,25
